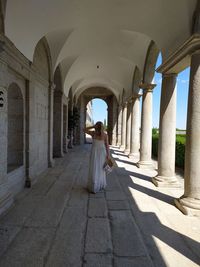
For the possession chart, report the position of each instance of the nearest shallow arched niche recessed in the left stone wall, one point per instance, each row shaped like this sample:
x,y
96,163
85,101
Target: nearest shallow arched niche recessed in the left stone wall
x,y
15,146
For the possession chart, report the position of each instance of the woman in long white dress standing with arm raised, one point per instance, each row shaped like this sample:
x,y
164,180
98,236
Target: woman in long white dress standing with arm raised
x,y
98,156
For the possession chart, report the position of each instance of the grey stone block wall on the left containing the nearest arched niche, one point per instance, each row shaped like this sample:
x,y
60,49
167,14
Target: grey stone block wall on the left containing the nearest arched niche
x,y
24,119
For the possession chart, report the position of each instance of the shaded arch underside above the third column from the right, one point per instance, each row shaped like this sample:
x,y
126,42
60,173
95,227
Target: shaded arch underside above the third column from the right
x,y
150,62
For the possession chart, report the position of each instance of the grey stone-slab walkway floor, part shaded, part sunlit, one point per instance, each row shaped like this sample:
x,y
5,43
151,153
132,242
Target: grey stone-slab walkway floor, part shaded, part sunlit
x,y
58,223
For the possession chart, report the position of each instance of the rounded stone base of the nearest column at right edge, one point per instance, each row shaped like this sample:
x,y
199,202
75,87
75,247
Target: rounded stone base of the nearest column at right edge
x,y
189,206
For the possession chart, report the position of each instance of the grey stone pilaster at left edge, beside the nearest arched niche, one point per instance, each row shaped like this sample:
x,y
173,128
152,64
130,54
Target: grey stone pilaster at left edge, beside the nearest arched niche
x,y
5,196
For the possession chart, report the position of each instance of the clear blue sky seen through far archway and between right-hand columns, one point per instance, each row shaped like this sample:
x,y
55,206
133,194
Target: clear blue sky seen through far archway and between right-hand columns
x,y
100,107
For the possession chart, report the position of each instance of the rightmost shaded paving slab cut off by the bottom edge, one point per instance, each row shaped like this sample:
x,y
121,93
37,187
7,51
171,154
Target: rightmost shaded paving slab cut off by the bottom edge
x,y
134,261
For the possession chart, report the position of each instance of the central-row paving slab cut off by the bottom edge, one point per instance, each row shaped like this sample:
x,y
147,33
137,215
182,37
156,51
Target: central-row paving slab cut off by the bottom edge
x,y
97,260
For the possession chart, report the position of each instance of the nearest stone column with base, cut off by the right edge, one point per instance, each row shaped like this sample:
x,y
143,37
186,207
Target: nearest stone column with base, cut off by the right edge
x,y
189,203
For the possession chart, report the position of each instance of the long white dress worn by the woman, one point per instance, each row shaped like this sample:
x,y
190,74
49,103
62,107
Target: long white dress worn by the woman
x,y
97,175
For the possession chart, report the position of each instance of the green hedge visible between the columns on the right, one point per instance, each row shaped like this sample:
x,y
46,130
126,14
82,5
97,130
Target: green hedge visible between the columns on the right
x,y
180,148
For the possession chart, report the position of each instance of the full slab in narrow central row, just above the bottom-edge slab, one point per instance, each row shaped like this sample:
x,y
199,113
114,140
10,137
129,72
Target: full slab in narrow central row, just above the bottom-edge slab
x,y
98,238
